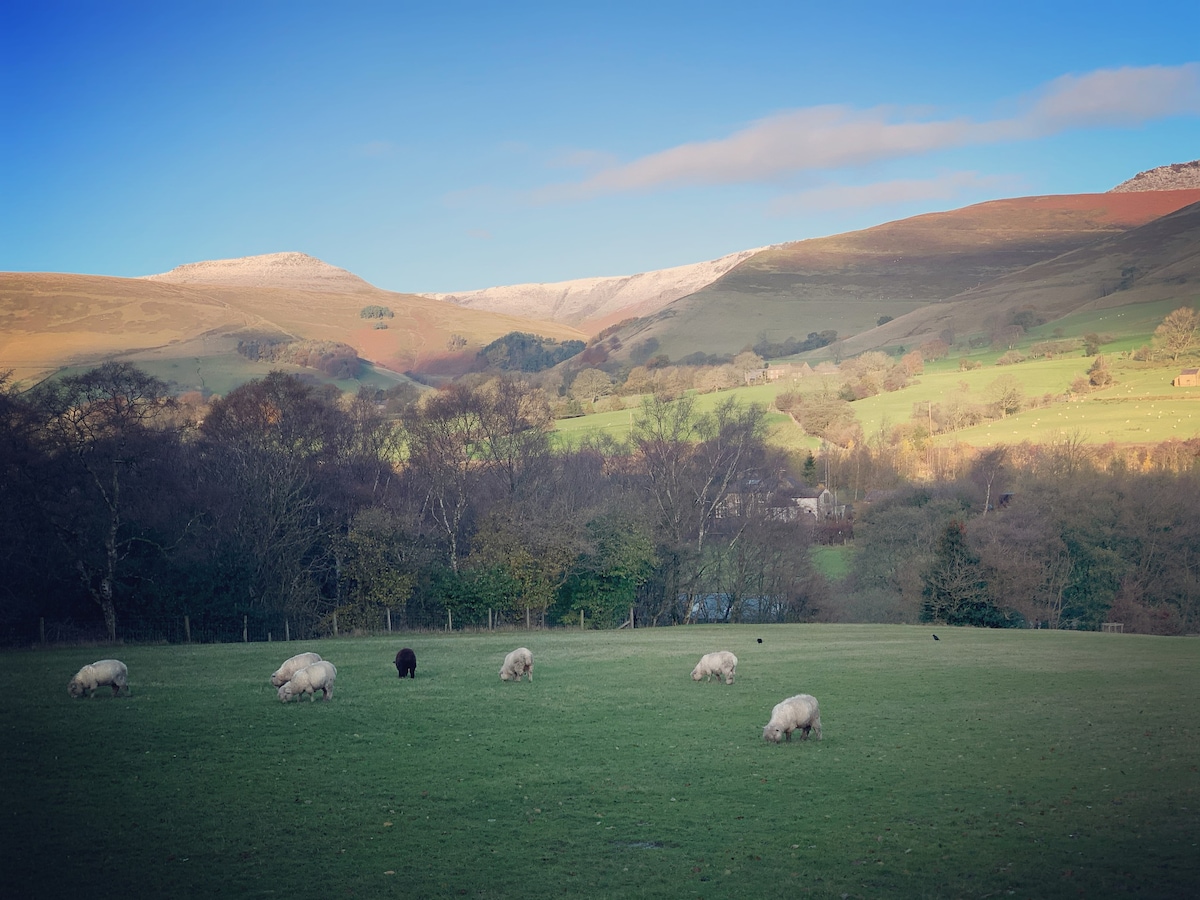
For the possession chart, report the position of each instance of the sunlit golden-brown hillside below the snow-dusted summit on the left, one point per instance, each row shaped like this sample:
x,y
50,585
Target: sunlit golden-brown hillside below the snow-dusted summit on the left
x,y
49,321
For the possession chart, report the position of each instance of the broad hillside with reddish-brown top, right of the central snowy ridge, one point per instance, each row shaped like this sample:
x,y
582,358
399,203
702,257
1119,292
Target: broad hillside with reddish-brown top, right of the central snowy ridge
x,y
847,283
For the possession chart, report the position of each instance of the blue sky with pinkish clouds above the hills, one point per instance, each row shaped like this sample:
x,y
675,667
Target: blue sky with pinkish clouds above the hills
x,y
442,147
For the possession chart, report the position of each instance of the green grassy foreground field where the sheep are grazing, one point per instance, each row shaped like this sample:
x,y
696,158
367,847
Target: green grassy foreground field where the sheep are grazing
x,y
986,764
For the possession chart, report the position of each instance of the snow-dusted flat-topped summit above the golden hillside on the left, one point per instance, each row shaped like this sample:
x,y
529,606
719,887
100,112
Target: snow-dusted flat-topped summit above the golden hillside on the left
x,y
298,272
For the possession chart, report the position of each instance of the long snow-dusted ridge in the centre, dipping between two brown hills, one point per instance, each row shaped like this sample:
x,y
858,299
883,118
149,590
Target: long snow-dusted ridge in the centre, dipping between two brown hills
x,y
603,298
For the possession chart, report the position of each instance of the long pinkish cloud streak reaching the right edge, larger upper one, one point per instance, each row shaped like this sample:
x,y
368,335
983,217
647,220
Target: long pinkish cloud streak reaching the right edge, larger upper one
x,y
837,137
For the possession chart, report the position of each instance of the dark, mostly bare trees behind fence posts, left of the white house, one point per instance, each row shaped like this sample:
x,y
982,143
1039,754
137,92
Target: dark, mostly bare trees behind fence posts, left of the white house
x,y
286,500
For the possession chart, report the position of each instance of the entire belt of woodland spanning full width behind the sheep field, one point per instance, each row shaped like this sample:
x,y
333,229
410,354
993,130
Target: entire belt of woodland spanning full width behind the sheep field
x,y
287,508
